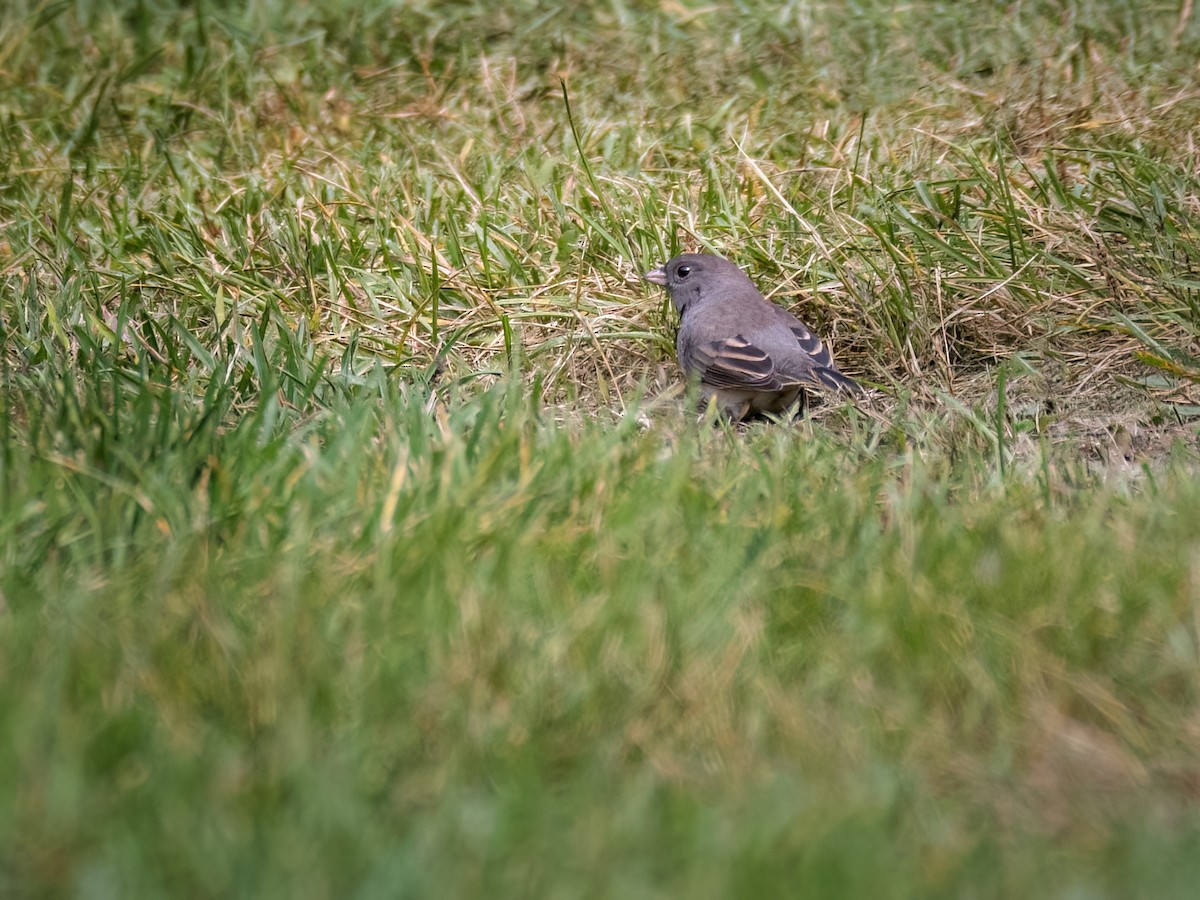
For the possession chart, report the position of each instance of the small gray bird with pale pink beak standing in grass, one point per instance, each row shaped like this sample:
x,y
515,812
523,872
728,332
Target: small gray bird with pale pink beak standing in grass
x,y
749,355
